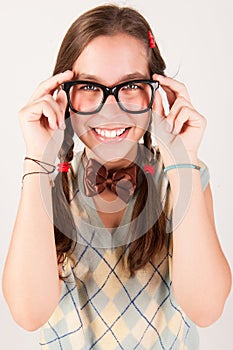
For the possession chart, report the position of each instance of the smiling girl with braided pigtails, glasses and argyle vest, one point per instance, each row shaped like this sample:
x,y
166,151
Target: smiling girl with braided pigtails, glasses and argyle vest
x,y
121,251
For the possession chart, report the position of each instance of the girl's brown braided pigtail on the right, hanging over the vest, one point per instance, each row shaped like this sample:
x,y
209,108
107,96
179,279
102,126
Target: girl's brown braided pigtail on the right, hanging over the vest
x,y
149,207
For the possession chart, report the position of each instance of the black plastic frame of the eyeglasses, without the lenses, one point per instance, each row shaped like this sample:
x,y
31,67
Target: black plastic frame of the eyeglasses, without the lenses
x,y
107,91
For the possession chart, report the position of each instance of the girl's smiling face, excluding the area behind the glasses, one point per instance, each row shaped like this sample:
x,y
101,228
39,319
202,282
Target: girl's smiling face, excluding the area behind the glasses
x,y
111,135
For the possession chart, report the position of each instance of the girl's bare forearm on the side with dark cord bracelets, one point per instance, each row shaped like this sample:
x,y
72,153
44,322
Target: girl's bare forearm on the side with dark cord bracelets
x,y
30,279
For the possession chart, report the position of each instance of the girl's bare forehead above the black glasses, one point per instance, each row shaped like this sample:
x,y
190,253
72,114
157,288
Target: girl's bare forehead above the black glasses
x,y
112,57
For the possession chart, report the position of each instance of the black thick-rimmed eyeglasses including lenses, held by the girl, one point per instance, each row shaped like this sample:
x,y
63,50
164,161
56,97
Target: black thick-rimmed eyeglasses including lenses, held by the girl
x,y
86,97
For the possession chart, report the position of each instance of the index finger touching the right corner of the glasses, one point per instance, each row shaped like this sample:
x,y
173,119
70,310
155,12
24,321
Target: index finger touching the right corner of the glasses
x,y
173,87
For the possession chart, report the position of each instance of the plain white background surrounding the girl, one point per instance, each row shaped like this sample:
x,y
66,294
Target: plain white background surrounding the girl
x,y
195,38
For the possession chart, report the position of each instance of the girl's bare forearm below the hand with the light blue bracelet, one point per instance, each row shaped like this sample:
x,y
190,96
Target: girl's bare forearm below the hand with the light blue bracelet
x,y
201,275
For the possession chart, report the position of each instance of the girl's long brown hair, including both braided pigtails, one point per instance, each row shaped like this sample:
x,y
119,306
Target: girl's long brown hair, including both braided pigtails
x,y
110,20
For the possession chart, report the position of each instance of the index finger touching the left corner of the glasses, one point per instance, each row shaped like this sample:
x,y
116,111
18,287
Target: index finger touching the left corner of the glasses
x,y
50,85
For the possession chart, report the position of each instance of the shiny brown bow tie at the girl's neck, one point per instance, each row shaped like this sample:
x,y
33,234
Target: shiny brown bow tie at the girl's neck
x,y
121,182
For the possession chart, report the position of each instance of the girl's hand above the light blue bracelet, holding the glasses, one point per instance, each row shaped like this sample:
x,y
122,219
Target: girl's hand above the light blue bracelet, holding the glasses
x,y
178,134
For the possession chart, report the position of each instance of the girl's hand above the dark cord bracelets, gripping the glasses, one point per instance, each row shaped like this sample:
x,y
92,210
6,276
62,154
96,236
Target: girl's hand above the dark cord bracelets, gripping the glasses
x,y
42,119
